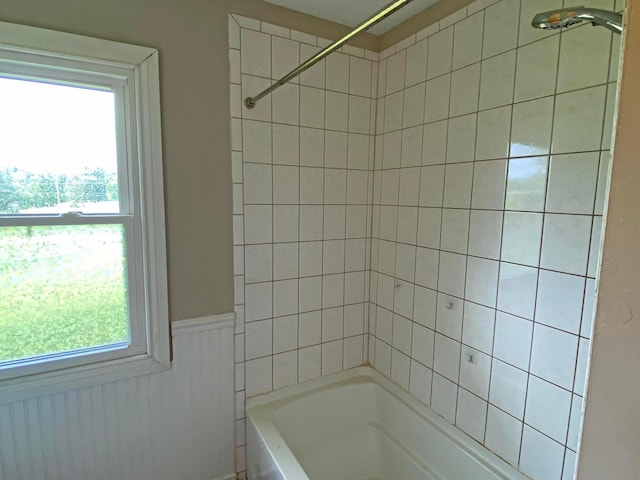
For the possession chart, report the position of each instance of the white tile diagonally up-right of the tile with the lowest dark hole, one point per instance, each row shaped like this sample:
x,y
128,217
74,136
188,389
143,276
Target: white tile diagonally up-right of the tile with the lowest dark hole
x,y
512,342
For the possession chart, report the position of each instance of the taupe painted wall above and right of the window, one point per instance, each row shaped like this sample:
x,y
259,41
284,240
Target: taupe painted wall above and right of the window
x,y
191,36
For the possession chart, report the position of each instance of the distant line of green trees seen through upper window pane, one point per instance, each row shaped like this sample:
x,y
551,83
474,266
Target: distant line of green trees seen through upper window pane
x,y
21,190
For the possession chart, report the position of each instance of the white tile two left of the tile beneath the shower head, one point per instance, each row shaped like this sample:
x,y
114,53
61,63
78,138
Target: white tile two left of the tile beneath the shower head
x,y
497,80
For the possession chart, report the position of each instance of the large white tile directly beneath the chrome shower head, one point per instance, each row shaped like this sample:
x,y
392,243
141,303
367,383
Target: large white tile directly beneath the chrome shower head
x,y
572,74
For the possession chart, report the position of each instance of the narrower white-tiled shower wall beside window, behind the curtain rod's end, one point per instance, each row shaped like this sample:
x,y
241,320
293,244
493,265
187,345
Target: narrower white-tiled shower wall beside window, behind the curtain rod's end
x,y
303,176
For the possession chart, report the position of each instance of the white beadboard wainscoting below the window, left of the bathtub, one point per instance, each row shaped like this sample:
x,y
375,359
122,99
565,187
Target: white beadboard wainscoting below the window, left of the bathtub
x,y
177,424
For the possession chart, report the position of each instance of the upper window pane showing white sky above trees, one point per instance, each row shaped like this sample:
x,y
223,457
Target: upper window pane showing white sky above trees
x,y
58,149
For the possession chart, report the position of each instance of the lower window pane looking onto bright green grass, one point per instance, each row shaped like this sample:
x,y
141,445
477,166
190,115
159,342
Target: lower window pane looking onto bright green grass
x,y
62,288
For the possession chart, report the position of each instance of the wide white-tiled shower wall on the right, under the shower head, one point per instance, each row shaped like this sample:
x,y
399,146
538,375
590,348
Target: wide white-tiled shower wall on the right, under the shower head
x,y
491,163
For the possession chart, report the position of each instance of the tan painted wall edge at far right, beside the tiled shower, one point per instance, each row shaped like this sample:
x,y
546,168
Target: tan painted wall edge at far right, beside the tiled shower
x,y
611,440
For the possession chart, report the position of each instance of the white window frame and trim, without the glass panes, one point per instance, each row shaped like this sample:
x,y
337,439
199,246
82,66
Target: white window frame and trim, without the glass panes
x,y
133,73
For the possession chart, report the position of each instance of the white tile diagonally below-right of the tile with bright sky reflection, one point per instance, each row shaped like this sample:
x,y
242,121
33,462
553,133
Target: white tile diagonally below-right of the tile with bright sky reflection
x,y
565,243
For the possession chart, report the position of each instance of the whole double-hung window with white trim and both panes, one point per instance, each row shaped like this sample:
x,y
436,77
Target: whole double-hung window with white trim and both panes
x,y
83,290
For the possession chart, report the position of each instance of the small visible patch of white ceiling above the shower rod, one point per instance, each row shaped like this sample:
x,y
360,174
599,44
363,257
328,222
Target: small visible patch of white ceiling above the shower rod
x,y
353,12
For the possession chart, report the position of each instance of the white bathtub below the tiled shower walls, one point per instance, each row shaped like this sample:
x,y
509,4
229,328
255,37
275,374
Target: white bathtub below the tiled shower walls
x,y
357,425
